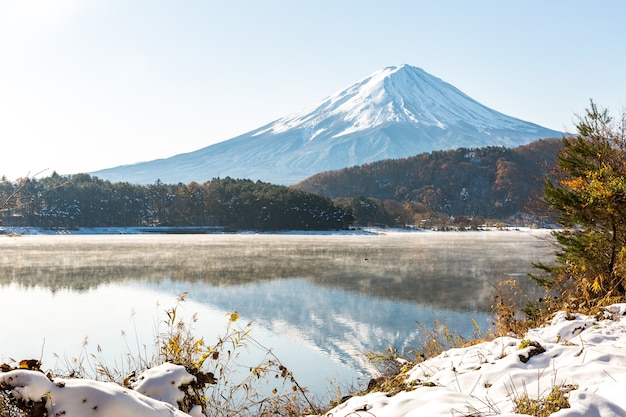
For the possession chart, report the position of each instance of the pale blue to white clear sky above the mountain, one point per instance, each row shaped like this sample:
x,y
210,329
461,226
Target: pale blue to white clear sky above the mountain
x,y
87,84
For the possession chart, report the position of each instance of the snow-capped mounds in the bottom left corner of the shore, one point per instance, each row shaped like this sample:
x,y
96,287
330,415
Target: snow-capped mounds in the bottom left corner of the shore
x,y
156,393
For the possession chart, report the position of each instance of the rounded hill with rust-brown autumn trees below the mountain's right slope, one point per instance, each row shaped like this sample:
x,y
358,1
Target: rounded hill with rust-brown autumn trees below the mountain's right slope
x,y
491,183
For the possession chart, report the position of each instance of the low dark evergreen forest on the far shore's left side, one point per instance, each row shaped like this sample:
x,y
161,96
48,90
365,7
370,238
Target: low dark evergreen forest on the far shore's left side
x,y
84,201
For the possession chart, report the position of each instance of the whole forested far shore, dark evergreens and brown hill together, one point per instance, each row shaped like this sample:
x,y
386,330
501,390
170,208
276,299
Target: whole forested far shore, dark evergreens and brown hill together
x,y
463,187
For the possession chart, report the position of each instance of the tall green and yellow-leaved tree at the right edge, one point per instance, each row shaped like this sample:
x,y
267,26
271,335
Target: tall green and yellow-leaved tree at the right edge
x,y
588,191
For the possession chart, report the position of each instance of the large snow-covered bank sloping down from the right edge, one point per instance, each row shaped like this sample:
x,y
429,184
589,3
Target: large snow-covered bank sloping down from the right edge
x,y
575,353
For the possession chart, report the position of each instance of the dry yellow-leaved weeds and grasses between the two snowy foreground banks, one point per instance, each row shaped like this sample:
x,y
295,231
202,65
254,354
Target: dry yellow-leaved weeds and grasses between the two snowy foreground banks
x,y
225,385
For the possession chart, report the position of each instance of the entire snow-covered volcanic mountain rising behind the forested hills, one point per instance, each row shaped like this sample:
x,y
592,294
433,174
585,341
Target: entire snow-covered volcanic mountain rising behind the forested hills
x,y
396,112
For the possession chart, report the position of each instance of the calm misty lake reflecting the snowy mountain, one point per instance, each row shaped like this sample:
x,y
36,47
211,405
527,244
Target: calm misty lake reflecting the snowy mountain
x,y
320,302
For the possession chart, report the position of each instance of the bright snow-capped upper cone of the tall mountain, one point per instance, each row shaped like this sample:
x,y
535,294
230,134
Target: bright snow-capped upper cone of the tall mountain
x,y
392,95
